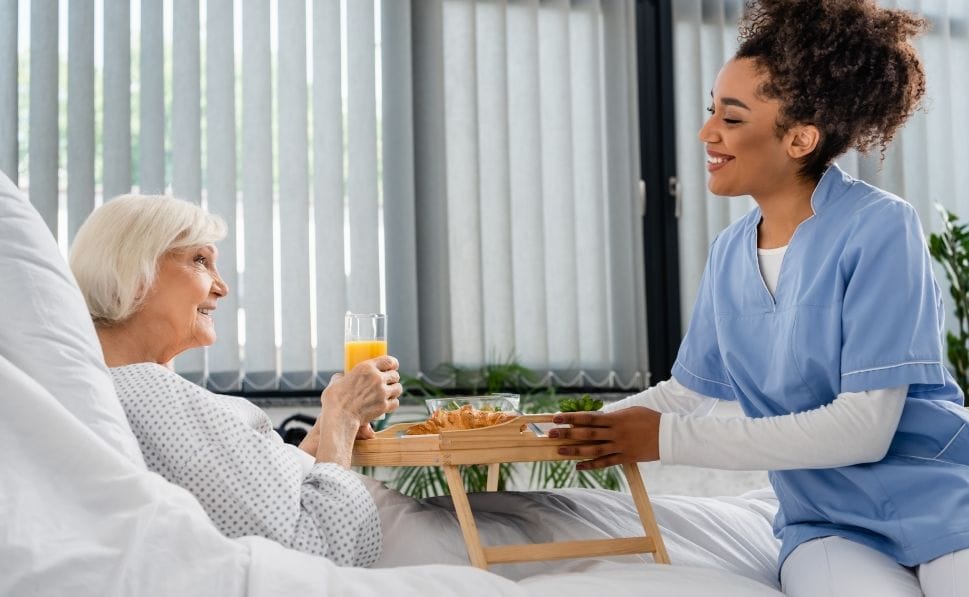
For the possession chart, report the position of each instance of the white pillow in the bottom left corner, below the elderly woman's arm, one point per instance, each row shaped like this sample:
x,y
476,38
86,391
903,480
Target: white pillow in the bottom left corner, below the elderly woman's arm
x,y
77,518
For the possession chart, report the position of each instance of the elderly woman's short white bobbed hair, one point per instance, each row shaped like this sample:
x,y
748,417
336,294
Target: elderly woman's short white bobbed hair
x,y
116,252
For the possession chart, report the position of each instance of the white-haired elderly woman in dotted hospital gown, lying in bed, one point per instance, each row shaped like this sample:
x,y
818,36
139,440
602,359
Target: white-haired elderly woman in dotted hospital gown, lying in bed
x,y
147,269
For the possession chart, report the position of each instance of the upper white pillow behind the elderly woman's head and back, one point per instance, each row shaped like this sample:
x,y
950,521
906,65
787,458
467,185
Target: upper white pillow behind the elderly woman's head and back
x,y
47,331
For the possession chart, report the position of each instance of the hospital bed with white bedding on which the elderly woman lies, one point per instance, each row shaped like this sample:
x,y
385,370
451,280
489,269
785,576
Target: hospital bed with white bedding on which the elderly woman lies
x,y
81,515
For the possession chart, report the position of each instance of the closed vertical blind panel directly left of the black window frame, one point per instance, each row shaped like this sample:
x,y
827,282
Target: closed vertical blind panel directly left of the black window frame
x,y
529,231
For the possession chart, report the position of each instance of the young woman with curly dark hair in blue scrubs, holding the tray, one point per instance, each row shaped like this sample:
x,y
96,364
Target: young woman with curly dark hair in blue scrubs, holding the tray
x,y
819,315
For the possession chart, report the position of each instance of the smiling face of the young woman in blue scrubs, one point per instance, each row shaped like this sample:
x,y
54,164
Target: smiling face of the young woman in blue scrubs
x,y
745,155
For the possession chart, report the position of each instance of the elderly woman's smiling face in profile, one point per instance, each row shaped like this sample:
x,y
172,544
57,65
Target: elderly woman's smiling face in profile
x,y
179,305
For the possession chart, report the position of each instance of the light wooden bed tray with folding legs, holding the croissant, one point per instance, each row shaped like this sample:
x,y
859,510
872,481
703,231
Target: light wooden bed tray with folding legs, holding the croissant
x,y
512,441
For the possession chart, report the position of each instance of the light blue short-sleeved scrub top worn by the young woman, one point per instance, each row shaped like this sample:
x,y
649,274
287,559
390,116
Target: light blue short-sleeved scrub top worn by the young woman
x,y
856,308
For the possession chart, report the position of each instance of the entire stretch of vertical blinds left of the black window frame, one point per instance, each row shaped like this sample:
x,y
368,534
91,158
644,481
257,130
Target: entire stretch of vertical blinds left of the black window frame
x,y
468,166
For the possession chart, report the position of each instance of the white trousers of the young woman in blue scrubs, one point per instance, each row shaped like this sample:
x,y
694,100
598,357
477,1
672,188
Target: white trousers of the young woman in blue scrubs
x,y
837,567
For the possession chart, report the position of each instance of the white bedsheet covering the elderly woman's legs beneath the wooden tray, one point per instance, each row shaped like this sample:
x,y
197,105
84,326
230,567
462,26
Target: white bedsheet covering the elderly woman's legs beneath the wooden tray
x,y
730,533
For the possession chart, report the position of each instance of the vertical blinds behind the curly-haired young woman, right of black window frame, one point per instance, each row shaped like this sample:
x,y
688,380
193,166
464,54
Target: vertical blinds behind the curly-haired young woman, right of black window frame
x,y
923,165
